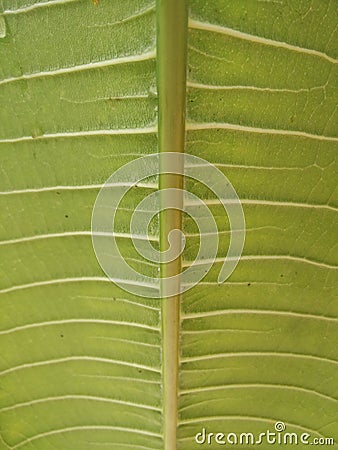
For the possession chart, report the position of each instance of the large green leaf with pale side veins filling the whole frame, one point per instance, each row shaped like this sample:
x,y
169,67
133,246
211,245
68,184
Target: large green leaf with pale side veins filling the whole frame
x,y
86,365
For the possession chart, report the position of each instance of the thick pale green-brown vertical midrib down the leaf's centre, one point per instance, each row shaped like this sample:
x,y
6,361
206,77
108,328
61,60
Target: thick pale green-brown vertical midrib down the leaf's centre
x,y
172,26
